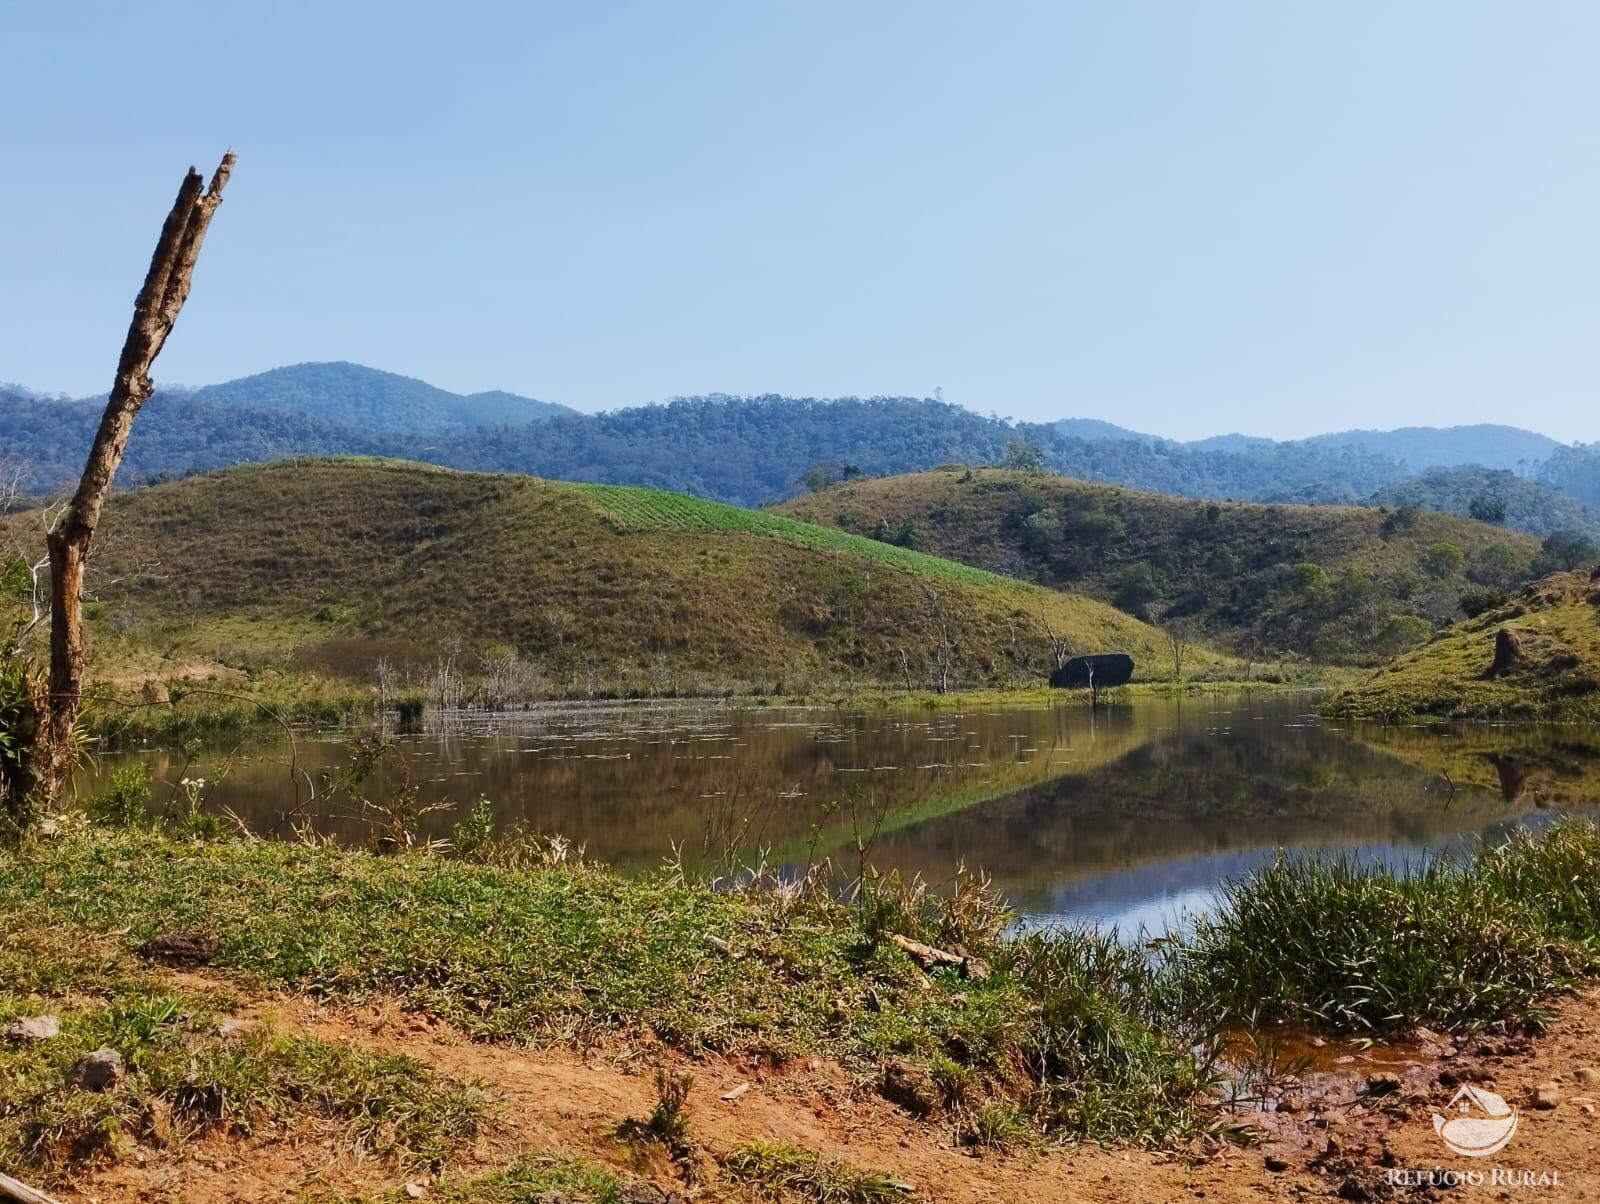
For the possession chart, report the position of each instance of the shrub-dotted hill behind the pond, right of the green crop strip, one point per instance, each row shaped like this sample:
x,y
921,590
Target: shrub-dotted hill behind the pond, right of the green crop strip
x,y
1335,584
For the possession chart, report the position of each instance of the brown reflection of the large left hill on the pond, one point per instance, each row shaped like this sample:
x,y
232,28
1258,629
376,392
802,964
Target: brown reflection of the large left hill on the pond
x,y
630,782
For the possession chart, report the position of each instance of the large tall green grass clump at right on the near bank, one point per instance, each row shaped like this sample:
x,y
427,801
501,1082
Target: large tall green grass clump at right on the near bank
x,y
1366,949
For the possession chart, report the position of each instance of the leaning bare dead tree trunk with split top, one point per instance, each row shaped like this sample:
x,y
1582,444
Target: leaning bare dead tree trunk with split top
x,y
154,313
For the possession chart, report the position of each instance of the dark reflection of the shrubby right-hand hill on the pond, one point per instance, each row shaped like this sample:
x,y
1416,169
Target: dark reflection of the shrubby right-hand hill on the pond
x,y
1191,808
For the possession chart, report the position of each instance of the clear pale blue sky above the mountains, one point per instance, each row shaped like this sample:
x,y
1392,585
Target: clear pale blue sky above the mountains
x,y
1188,219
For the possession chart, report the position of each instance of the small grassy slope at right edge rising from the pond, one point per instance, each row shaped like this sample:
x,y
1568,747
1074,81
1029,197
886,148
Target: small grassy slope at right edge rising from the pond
x,y
1556,675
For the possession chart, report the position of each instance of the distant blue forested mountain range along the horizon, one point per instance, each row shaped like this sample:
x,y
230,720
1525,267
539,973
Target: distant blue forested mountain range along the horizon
x,y
756,451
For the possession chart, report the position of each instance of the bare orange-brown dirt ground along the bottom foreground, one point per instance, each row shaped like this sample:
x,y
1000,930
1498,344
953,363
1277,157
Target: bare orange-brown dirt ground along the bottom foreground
x,y
1356,1130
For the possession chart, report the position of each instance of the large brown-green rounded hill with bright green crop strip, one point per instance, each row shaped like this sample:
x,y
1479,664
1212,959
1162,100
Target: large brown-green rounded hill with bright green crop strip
x,y
326,566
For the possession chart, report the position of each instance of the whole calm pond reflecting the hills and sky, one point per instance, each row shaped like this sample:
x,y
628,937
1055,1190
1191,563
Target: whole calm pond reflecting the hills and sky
x,y
1127,816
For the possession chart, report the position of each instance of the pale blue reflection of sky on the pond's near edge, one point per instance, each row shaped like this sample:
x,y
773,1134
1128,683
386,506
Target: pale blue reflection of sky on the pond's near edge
x,y
1159,899
